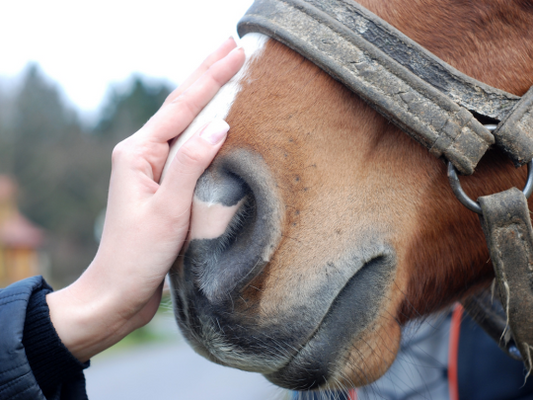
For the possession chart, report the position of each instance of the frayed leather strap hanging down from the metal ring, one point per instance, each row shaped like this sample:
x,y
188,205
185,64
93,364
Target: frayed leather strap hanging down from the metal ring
x,y
507,227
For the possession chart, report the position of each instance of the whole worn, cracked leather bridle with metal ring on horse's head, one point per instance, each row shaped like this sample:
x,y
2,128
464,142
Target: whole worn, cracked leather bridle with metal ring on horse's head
x,y
441,108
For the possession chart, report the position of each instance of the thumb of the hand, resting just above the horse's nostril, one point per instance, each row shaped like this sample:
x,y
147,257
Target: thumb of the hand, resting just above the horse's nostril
x,y
190,162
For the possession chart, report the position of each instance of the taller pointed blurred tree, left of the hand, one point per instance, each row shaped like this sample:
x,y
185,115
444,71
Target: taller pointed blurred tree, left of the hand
x,y
44,147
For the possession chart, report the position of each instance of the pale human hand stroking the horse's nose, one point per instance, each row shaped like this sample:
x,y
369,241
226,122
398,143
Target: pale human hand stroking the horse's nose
x,y
146,221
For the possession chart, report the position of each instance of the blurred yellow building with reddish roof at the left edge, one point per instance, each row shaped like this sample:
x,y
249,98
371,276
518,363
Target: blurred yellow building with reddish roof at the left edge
x,y
20,240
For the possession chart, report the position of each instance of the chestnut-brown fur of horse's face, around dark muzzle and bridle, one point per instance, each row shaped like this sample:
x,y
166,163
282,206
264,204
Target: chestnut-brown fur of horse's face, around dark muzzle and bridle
x,y
343,172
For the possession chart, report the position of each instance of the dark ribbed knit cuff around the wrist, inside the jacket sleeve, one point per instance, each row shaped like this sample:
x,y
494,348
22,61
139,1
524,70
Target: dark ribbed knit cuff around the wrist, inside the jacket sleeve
x,y
50,361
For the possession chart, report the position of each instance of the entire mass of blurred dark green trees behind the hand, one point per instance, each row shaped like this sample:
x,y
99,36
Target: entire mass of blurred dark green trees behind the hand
x,y
62,165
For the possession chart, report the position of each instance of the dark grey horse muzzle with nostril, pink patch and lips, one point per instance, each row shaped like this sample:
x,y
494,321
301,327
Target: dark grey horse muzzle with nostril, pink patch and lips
x,y
219,279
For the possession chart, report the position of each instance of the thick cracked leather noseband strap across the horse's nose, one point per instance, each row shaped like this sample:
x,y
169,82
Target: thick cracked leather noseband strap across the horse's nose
x,y
381,64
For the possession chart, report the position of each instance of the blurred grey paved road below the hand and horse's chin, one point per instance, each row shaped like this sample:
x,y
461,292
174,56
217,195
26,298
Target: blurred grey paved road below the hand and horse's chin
x,y
172,371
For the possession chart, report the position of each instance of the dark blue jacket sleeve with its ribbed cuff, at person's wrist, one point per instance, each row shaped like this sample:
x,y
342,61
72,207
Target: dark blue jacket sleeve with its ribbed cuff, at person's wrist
x,y
34,364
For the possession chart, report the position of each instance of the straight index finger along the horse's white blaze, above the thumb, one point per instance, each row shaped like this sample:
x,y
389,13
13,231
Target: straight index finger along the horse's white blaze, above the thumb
x,y
174,117
